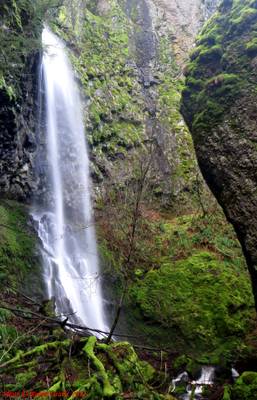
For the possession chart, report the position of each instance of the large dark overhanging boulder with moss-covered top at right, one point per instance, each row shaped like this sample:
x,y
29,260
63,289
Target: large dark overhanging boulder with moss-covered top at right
x,y
219,105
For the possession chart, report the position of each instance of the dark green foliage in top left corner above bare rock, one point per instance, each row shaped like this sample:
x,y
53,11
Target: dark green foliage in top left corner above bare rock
x,y
20,37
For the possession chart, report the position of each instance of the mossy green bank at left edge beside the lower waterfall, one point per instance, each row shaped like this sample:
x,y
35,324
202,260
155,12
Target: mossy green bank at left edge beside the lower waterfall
x,y
19,269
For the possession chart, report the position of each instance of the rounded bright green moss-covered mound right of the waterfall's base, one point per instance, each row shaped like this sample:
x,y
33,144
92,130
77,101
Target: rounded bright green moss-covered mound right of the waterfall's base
x,y
199,301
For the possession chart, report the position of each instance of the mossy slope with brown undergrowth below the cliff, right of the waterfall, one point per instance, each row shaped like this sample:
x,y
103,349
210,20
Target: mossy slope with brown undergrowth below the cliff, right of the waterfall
x,y
189,284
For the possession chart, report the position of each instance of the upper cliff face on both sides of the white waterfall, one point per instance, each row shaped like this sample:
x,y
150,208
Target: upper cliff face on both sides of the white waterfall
x,y
128,56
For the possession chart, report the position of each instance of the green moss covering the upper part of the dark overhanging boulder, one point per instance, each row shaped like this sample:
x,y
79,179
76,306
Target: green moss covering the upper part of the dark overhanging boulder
x,y
222,66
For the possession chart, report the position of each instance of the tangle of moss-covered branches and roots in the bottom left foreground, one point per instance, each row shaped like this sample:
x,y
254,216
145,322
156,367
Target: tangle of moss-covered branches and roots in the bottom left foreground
x,y
83,367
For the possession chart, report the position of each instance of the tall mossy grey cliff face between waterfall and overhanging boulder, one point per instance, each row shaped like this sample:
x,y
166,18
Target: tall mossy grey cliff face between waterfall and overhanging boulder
x,y
128,59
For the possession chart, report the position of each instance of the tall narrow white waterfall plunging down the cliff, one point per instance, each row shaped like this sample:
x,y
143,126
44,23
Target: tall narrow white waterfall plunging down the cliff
x,y
64,215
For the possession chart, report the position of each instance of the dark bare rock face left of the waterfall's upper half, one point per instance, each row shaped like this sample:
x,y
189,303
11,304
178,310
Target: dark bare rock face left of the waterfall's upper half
x,y
17,138
